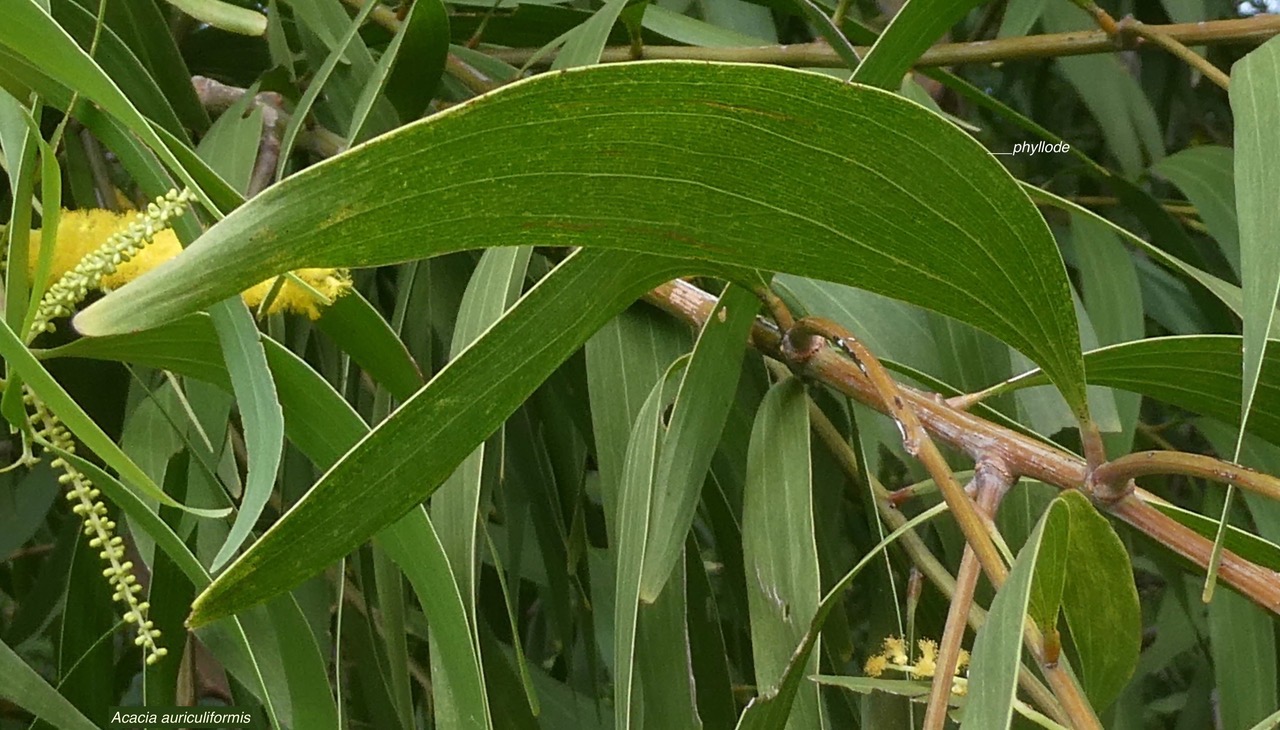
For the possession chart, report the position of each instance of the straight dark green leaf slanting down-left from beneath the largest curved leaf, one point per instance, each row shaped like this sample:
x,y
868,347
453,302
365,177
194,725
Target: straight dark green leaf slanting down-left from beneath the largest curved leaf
x,y
409,455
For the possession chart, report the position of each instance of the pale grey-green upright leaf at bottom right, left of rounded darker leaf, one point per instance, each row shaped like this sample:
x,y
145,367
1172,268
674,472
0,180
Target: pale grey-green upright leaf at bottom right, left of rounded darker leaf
x,y
999,647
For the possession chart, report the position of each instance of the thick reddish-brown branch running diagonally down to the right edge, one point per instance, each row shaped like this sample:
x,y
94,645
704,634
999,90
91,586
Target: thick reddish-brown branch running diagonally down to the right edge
x,y
980,439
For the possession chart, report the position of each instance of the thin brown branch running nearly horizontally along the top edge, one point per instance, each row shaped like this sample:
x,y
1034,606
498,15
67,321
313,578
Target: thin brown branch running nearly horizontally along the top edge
x,y
1254,30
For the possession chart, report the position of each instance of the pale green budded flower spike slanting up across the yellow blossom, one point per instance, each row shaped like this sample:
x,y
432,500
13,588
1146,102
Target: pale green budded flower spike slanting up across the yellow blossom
x,y
62,299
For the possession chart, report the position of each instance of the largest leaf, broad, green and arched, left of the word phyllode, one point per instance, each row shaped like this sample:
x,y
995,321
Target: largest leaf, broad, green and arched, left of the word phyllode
x,y
661,113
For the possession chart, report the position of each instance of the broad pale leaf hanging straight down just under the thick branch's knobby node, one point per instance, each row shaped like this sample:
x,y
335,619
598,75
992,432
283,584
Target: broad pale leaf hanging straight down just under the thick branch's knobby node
x,y
779,544
